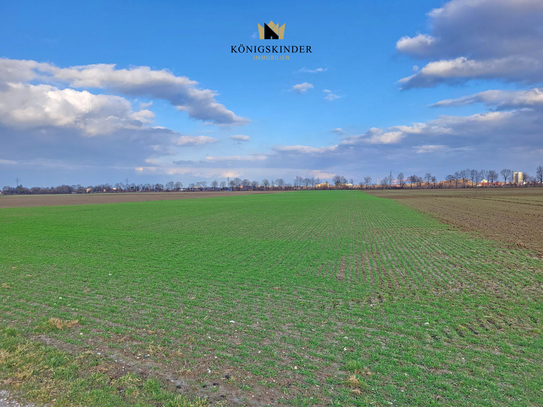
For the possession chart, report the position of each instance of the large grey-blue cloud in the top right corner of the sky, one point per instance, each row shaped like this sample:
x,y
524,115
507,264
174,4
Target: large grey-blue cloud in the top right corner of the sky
x,y
479,39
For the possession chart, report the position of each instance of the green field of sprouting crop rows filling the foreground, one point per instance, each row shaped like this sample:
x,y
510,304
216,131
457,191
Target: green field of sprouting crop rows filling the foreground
x,y
299,298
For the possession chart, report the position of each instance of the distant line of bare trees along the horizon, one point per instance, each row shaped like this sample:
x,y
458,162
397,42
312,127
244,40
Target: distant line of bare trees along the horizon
x,y
460,179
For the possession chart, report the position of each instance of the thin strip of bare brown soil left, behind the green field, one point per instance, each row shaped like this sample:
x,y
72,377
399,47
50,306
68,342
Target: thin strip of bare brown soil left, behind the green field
x,y
20,201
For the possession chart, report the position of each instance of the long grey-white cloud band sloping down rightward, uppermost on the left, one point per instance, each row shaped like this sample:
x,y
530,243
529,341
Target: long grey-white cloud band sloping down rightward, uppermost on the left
x,y
141,81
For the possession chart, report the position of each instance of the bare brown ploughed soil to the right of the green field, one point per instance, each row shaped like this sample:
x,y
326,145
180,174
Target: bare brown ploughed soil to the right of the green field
x,y
511,215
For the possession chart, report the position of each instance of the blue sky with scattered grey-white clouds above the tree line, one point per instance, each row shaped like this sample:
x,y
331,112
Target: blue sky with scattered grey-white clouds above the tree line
x,y
151,91
